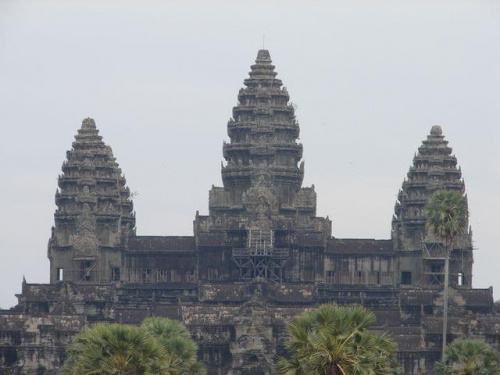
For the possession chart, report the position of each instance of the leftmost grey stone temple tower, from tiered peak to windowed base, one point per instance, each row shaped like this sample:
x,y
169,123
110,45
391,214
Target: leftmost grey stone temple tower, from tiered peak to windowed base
x,y
94,215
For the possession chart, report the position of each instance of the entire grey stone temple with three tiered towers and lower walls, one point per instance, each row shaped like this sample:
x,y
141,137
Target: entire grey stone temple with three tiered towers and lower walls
x,y
258,258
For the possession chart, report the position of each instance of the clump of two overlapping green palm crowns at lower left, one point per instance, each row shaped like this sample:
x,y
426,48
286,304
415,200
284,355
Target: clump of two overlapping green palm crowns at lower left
x,y
159,347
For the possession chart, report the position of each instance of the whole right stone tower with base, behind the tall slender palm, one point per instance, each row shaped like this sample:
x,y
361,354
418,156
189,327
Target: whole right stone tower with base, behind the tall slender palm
x,y
421,255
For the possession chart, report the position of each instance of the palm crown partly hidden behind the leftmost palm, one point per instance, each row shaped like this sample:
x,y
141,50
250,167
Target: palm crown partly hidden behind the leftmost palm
x,y
174,337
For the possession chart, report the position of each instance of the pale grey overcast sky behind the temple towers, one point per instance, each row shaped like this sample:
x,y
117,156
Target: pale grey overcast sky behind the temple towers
x,y
369,79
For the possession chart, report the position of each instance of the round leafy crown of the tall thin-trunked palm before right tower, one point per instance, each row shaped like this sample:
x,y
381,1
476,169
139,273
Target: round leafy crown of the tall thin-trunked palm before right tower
x,y
447,214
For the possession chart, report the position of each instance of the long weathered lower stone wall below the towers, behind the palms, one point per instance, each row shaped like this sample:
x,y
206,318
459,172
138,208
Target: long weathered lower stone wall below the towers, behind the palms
x,y
240,326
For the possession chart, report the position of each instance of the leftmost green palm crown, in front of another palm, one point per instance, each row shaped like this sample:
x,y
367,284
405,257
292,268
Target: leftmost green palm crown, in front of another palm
x,y
114,349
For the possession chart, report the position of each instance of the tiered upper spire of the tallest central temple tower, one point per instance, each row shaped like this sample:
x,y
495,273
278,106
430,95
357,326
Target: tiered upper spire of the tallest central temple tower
x,y
263,135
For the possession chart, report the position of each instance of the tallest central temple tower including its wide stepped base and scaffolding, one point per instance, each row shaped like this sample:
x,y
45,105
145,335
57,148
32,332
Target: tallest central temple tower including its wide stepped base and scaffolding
x,y
262,214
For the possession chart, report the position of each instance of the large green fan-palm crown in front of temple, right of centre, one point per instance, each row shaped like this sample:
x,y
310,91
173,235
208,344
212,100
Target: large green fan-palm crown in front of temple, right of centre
x,y
332,340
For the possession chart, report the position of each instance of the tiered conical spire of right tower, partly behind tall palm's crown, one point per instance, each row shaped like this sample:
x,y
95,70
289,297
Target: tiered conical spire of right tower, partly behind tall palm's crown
x,y
434,168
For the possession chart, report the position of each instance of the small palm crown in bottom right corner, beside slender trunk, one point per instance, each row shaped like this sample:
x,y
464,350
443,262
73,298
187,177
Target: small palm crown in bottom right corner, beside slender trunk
x,y
469,357
